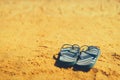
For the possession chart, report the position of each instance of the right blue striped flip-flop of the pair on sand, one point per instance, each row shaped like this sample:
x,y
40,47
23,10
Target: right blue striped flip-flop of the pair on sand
x,y
88,57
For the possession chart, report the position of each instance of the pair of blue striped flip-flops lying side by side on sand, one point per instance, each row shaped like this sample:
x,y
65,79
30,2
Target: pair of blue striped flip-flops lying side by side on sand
x,y
73,55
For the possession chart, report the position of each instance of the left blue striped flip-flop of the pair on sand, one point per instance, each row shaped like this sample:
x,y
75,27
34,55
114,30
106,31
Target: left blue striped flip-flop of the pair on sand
x,y
68,55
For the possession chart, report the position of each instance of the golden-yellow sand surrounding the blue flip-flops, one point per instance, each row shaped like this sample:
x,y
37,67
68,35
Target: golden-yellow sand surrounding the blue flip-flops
x,y
32,31
